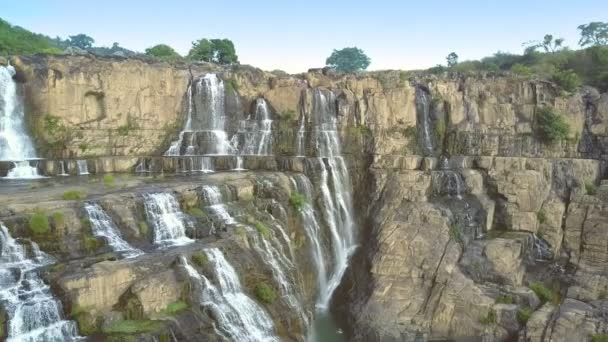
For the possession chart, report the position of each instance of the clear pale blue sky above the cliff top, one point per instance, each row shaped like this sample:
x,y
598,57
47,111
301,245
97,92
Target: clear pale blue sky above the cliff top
x,y
295,35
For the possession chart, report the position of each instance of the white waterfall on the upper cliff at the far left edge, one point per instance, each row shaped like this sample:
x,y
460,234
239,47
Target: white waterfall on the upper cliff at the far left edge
x,y
15,144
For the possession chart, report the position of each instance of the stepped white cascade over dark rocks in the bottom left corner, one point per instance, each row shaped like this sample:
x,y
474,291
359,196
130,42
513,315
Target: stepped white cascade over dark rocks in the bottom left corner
x,y
34,315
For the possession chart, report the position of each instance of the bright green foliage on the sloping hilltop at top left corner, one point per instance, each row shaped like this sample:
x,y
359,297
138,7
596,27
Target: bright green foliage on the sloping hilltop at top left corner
x,y
16,40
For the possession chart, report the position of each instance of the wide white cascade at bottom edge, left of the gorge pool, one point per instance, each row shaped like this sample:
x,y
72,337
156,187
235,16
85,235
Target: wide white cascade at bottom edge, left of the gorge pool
x,y
238,317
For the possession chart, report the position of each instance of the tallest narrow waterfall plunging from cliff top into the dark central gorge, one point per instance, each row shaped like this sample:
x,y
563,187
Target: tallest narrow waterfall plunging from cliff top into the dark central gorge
x,y
335,188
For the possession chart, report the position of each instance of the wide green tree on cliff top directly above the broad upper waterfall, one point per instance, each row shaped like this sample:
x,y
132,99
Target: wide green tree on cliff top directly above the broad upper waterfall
x,y
219,51
